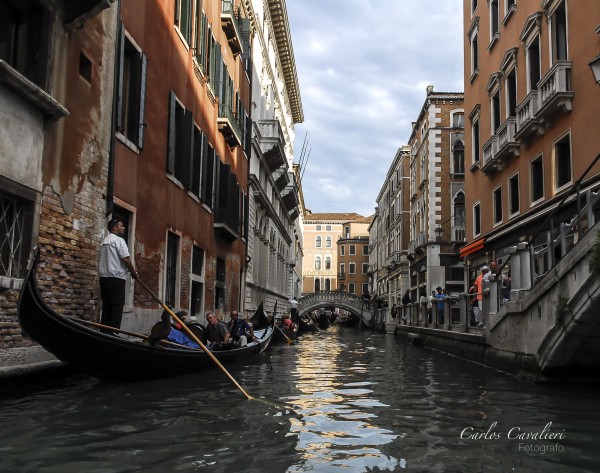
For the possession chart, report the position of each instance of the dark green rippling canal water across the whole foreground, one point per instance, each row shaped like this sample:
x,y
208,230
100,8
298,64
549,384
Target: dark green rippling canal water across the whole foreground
x,y
341,400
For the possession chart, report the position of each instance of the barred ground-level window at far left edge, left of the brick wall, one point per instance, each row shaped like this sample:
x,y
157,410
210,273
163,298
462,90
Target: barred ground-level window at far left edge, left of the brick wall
x,y
15,232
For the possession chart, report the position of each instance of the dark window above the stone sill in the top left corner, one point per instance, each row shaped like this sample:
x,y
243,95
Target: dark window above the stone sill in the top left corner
x,y
24,38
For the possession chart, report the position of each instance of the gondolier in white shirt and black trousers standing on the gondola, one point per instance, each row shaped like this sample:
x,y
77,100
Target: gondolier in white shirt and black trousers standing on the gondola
x,y
114,263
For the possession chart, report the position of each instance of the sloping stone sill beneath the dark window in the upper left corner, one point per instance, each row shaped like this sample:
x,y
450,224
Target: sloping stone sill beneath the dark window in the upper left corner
x,y
34,95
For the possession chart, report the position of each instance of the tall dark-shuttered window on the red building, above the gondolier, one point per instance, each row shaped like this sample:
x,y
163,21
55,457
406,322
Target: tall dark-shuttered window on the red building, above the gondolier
x,y
132,90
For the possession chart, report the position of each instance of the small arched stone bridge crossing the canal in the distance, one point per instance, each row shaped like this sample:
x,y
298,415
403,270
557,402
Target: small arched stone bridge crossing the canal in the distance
x,y
358,306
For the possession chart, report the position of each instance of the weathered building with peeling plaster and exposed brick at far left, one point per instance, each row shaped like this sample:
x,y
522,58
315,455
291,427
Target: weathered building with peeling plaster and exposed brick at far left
x,y
56,103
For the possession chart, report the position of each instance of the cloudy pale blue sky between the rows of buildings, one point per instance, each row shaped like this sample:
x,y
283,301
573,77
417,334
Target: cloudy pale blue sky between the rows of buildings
x,y
363,68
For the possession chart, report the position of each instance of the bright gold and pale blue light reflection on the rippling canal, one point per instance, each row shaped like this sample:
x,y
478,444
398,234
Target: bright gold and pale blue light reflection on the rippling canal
x,y
336,426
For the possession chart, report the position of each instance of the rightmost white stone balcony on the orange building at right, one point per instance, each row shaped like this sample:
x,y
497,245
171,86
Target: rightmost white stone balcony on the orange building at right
x,y
556,95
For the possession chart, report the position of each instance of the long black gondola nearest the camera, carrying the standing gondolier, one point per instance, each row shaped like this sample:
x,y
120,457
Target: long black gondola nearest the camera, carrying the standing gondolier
x,y
107,356
